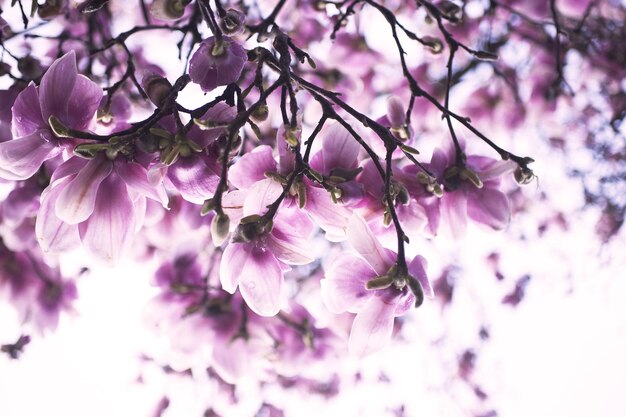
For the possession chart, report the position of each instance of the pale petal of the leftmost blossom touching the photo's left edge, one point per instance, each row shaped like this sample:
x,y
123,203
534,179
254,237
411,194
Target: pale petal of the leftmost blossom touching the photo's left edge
x,y
21,158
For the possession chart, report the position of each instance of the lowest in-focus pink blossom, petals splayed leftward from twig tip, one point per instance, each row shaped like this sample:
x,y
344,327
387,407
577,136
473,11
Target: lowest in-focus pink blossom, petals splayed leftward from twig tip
x,y
344,289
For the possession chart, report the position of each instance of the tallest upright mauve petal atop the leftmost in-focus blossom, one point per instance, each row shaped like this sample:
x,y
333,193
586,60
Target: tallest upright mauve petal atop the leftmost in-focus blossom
x,y
56,87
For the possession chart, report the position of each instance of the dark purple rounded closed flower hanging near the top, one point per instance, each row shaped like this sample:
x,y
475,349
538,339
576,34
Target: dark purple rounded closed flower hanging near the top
x,y
217,63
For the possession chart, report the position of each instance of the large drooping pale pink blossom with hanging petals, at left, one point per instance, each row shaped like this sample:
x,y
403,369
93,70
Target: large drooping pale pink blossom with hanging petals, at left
x,y
99,202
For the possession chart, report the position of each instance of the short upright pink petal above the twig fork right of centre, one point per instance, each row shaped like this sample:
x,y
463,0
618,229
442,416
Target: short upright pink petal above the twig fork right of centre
x,y
339,148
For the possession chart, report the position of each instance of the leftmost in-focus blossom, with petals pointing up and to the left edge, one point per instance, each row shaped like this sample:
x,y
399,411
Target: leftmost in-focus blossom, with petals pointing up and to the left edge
x,y
63,93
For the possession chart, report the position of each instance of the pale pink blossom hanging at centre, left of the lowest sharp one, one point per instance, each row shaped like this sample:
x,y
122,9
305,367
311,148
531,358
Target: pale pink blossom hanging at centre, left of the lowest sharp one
x,y
260,251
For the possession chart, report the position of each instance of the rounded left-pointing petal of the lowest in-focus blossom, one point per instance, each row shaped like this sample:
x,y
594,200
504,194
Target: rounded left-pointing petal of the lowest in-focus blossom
x,y
343,288
